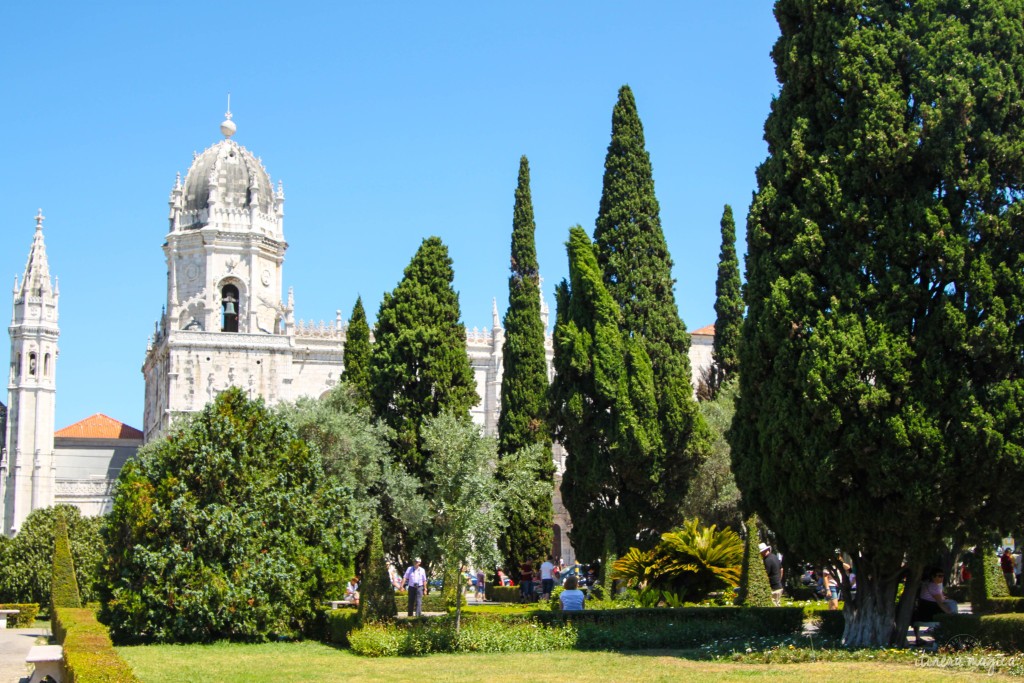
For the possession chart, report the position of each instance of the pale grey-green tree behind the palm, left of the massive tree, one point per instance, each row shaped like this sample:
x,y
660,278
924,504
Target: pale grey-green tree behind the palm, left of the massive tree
x,y
714,497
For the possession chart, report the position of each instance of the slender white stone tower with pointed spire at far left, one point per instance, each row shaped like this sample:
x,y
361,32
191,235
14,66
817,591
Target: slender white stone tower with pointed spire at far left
x,y
28,476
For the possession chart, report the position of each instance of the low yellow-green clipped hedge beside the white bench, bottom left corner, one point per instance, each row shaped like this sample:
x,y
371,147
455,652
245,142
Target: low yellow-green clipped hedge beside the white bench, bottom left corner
x,y
90,655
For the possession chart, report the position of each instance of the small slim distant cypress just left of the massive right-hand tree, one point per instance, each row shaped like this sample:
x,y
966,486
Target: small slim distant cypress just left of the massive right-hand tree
x,y
729,306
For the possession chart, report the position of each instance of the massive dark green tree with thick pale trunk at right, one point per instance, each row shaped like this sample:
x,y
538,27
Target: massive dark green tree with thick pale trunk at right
x,y
882,353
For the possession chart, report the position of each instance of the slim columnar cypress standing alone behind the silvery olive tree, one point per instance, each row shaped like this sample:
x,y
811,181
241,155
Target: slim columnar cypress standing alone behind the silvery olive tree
x,y
525,386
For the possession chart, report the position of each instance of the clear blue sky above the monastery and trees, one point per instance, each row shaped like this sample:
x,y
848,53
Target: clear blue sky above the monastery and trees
x,y
388,122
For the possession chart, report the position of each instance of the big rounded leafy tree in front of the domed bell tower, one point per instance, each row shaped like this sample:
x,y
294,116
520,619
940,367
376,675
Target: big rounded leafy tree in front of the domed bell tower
x,y
229,529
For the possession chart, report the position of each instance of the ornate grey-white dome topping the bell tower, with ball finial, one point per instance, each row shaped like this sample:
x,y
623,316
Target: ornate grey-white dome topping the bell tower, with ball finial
x,y
229,188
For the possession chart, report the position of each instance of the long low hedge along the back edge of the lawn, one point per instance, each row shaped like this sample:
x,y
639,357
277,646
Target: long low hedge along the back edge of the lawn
x,y
593,630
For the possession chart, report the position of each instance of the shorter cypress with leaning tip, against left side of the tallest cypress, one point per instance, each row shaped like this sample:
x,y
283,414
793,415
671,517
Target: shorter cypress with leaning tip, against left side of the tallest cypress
x,y
606,415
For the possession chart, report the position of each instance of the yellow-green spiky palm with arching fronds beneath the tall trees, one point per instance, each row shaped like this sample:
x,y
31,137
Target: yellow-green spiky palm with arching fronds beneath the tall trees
x,y
688,565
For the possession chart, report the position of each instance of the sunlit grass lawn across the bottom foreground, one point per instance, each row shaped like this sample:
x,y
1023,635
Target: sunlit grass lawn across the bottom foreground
x,y
314,662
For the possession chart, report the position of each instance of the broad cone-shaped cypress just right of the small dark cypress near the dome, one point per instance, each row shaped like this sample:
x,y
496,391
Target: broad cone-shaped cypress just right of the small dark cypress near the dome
x,y
419,367
